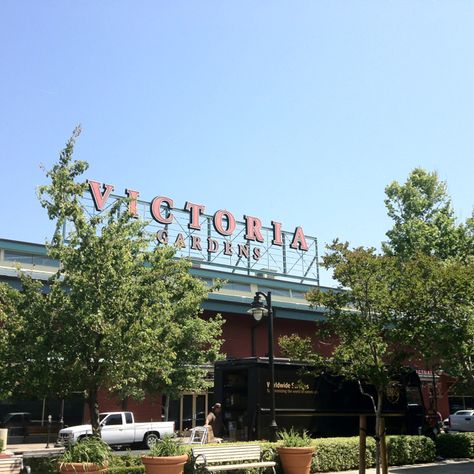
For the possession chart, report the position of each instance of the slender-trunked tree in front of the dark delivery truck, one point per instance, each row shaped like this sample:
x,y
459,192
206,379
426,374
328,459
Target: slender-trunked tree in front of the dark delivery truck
x,y
360,320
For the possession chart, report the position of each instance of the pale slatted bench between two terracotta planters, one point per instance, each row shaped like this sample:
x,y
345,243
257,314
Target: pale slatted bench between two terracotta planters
x,y
245,456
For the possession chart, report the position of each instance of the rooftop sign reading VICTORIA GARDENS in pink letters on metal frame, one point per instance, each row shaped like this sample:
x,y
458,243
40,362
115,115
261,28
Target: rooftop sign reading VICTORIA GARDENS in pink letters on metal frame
x,y
219,240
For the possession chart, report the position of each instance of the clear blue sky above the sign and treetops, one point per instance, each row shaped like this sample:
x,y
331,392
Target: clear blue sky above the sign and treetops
x,y
297,111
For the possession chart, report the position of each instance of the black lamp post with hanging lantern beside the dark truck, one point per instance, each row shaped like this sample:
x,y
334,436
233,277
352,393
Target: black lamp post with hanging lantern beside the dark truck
x,y
258,310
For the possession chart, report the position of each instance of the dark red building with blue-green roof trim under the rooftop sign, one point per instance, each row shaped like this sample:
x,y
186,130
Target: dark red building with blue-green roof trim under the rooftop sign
x,y
244,337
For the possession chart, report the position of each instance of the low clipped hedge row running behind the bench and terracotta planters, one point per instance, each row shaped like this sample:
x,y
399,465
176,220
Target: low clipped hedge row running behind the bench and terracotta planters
x,y
332,454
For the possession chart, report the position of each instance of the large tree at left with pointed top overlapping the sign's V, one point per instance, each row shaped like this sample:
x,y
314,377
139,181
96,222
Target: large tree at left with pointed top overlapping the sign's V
x,y
120,309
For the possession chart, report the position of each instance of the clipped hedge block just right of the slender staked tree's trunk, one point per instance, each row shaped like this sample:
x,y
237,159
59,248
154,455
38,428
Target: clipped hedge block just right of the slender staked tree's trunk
x,y
410,450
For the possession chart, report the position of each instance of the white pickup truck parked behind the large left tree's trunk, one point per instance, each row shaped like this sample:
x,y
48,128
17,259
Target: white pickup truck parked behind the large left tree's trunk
x,y
119,428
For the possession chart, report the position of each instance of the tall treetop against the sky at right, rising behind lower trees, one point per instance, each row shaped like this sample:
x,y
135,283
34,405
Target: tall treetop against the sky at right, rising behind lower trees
x,y
424,220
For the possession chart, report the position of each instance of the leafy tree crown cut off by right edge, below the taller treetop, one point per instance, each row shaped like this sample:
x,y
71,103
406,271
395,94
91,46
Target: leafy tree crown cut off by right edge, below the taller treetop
x,y
434,301
